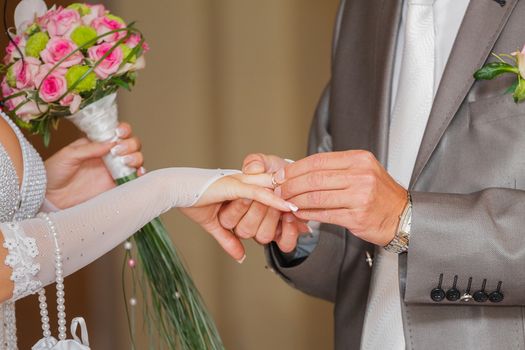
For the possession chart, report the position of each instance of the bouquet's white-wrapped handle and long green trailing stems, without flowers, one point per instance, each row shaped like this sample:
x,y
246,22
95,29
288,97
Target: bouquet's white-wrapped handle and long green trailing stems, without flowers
x,y
174,309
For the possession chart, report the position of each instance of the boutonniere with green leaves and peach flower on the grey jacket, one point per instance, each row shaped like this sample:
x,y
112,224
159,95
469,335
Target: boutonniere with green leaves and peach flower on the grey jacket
x,y
507,64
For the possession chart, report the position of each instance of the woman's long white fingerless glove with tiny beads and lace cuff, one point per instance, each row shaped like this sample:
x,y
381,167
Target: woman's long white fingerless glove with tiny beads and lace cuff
x,y
90,230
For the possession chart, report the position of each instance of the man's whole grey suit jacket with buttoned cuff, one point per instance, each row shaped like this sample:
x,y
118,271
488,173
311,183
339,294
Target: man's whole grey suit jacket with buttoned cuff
x,y
467,185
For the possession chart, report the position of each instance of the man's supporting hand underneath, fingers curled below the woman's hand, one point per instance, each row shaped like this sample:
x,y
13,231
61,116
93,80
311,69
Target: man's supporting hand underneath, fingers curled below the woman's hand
x,y
253,220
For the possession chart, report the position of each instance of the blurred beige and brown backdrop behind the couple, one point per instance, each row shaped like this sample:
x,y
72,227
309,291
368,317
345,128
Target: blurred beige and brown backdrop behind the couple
x,y
224,78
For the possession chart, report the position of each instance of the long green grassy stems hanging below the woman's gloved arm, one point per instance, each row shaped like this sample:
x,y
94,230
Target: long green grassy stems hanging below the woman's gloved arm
x,y
175,304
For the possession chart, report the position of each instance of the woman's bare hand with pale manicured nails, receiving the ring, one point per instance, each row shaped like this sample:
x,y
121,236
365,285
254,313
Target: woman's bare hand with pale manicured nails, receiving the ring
x,y
239,186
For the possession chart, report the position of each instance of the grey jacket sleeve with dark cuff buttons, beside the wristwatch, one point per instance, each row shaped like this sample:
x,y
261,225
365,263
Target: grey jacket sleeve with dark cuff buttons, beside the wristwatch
x,y
476,236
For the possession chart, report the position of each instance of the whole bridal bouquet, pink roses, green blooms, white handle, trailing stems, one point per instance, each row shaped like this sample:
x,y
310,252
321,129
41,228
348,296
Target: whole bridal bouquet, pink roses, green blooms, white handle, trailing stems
x,y
69,63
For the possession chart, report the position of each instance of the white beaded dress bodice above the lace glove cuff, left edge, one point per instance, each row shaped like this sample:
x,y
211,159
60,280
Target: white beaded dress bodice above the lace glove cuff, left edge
x,y
18,201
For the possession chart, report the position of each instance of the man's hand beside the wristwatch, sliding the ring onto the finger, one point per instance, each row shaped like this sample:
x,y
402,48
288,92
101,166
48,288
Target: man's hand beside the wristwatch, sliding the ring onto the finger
x,y
349,189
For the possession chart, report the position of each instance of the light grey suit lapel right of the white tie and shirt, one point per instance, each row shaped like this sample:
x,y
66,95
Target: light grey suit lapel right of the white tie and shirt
x,y
482,24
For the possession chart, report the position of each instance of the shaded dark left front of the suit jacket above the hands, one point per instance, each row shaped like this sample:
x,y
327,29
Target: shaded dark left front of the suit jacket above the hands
x,y
362,75
